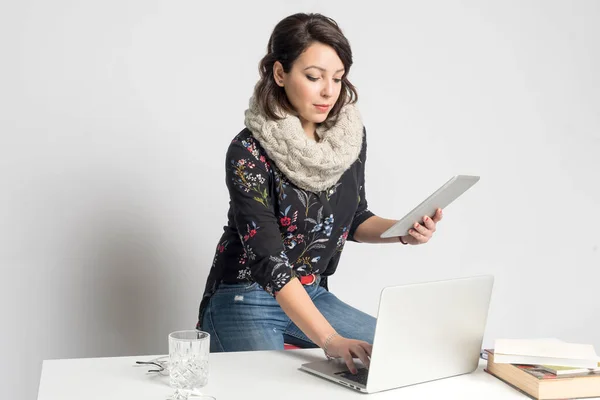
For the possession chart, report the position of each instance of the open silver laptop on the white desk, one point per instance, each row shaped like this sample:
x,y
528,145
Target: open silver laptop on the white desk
x,y
425,331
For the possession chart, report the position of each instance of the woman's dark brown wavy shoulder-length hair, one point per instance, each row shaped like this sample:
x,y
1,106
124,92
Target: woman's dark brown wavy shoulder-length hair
x,y
290,38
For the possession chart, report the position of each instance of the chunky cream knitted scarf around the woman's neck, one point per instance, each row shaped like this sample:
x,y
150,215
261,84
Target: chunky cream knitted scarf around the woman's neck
x,y
310,165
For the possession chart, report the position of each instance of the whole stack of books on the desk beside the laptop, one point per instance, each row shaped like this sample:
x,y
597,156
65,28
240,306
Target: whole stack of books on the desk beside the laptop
x,y
529,368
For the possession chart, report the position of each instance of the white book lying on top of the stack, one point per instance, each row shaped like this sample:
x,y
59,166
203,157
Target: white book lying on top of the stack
x,y
545,352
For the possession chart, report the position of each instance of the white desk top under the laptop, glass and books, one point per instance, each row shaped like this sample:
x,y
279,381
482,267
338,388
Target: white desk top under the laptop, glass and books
x,y
243,376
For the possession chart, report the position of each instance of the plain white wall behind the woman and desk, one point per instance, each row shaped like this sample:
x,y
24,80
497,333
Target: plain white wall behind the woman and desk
x,y
115,117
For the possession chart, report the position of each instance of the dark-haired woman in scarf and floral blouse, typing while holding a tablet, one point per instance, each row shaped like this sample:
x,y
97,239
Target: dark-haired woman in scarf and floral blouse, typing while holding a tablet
x,y
295,177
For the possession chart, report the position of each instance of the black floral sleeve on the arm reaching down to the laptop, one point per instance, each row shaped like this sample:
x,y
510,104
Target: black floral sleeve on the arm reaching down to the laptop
x,y
248,182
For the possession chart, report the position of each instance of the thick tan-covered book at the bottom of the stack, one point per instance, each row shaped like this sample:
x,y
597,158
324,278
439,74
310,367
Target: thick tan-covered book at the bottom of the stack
x,y
543,385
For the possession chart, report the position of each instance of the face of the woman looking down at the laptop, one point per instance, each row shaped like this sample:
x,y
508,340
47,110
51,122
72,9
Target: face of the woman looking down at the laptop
x,y
314,83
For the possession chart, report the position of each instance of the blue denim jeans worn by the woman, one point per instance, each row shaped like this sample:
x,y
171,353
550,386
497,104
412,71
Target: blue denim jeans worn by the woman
x,y
243,317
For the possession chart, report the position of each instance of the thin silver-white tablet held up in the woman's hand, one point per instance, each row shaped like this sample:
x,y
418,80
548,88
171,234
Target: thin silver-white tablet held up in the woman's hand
x,y
439,199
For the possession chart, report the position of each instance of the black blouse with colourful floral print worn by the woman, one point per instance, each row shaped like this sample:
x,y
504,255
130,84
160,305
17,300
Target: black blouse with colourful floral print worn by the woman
x,y
277,231
